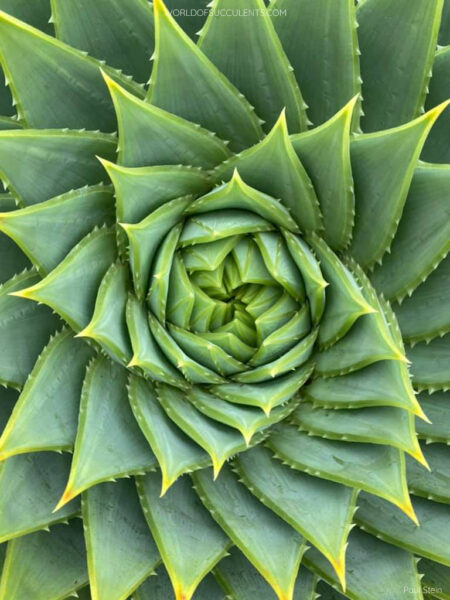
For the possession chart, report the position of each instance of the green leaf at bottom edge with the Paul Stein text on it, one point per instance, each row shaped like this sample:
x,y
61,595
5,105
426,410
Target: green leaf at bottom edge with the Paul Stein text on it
x,y
375,570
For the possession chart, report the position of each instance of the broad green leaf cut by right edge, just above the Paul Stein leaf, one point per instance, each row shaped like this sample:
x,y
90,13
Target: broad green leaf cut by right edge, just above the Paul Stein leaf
x,y
382,519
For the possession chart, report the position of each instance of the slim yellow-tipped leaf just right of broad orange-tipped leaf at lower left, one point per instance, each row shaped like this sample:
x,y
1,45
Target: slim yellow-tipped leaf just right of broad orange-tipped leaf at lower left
x,y
176,452
